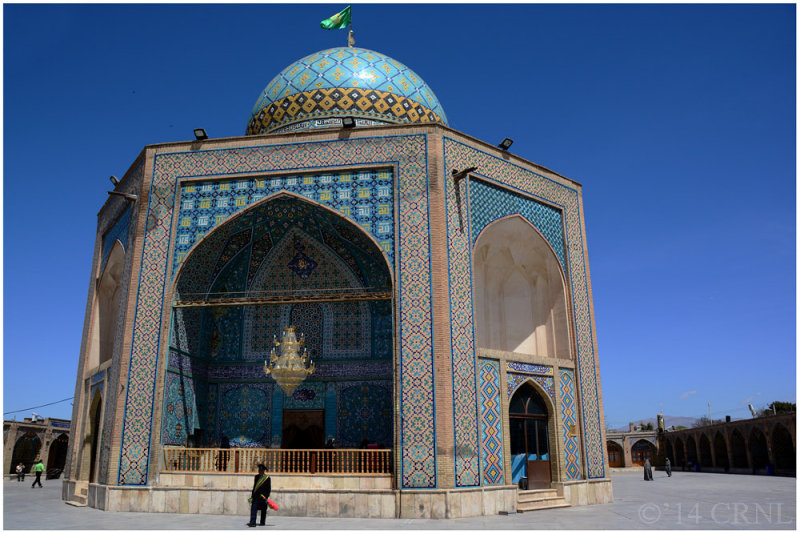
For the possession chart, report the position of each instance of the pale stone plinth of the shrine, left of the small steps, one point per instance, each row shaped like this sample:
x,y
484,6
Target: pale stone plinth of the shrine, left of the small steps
x,y
204,494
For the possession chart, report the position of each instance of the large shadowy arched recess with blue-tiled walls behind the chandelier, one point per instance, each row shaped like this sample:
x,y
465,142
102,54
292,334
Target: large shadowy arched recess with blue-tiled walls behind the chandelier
x,y
284,261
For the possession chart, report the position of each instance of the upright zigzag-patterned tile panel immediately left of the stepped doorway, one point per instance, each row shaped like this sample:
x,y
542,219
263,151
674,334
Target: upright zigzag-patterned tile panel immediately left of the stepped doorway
x,y
491,424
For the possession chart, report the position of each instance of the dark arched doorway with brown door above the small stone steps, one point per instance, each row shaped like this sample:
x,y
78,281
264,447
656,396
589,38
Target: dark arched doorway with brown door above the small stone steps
x,y
530,444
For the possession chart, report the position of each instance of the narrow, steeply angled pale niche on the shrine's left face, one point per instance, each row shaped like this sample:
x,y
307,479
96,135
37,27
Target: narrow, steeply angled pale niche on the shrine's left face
x,y
104,312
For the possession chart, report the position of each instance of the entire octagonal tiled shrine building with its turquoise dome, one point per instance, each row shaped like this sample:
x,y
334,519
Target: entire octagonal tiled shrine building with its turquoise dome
x,y
440,283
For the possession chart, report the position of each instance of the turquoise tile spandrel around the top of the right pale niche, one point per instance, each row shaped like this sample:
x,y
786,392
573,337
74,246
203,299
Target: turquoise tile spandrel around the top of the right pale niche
x,y
489,203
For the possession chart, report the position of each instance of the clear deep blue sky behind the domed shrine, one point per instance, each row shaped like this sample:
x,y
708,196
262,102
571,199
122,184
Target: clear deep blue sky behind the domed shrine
x,y
679,121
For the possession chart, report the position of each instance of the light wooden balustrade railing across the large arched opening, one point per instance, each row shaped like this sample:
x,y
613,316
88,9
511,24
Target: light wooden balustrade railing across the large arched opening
x,y
331,461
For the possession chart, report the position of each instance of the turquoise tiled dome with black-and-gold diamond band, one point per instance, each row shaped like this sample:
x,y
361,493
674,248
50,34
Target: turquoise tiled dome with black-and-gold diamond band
x,y
318,90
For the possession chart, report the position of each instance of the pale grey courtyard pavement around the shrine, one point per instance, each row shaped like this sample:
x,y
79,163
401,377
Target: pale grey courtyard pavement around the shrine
x,y
687,501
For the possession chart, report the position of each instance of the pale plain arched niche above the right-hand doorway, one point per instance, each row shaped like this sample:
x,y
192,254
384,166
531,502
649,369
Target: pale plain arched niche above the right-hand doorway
x,y
520,292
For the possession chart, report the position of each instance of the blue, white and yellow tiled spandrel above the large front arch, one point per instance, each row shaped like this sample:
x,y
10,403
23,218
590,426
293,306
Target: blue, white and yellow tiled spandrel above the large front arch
x,y
364,196
